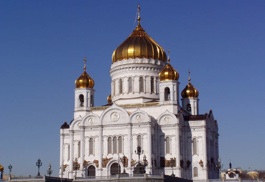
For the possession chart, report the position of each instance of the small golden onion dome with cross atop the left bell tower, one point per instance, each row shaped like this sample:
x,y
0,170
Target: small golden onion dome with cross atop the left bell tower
x,y
84,81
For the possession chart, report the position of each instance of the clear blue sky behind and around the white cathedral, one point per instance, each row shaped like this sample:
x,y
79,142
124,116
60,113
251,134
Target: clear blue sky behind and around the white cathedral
x,y
42,45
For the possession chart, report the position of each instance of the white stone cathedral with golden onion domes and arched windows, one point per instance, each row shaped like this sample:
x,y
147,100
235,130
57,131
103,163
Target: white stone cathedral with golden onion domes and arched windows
x,y
147,125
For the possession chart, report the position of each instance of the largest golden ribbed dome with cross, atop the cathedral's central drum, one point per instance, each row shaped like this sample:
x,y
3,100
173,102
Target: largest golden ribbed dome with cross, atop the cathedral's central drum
x,y
139,45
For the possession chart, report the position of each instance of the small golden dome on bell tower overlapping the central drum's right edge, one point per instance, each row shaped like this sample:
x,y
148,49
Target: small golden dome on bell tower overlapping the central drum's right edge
x,y
168,73
